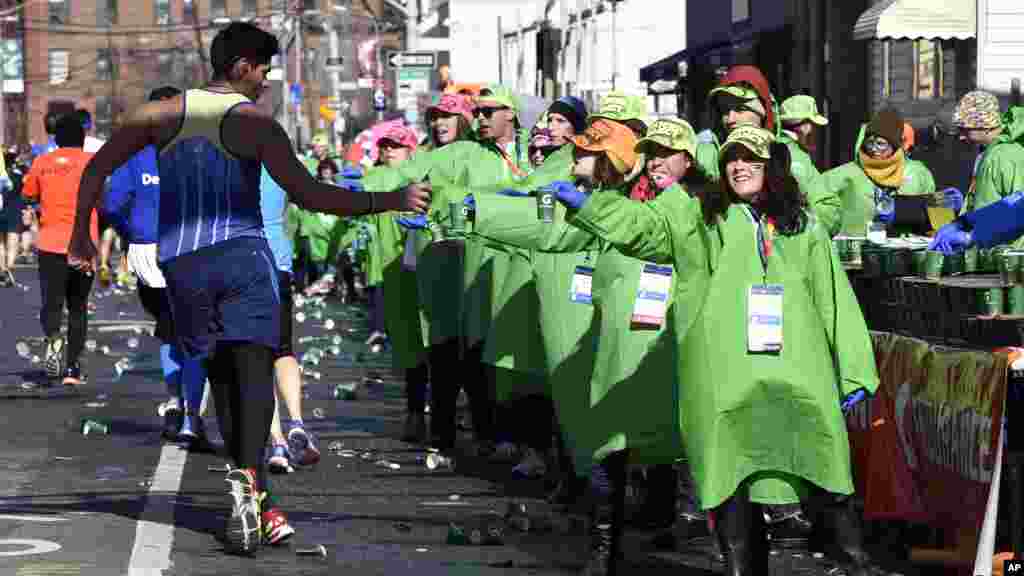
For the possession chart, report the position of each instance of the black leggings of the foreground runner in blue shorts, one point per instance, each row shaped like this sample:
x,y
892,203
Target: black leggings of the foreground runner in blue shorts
x,y
242,383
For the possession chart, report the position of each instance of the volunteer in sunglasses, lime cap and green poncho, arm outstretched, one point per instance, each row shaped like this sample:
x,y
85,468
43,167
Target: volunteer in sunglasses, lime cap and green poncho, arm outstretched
x,y
497,160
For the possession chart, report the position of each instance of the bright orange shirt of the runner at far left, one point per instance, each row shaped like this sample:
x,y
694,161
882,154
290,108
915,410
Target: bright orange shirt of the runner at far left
x,y
54,180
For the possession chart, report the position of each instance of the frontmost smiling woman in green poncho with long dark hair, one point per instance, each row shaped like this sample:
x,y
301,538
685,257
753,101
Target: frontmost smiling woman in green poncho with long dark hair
x,y
756,380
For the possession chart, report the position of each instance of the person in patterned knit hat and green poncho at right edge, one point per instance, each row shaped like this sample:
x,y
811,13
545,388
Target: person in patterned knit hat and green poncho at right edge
x,y
1000,170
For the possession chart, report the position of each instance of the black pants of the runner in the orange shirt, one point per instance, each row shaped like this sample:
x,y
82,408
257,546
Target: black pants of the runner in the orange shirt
x,y
62,285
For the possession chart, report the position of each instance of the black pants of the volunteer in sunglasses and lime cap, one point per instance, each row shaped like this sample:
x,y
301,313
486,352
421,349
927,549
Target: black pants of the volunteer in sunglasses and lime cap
x,y
449,377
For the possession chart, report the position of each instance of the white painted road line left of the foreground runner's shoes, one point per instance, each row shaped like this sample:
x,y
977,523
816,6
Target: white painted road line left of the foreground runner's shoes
x,y
155,531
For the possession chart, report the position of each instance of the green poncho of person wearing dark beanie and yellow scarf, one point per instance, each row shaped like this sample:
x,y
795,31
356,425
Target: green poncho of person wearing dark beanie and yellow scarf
x,y
857,191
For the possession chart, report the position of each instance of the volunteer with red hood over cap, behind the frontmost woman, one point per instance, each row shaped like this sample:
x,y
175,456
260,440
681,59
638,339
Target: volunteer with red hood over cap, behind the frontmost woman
x,y
744,98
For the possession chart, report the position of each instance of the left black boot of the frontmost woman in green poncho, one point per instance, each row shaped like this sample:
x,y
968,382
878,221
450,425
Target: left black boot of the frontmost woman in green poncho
x,y
741,533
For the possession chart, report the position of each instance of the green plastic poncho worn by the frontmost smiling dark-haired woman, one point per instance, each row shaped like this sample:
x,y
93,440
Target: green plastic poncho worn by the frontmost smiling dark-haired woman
x,y
772,420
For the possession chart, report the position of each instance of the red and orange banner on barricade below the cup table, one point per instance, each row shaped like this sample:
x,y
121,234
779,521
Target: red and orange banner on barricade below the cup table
x,y
924,447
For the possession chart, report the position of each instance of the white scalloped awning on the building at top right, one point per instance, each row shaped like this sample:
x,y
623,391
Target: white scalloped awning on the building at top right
x,y
919,19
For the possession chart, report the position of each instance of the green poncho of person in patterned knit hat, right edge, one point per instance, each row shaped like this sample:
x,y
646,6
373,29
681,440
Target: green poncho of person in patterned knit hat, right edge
x,y
1001,172
